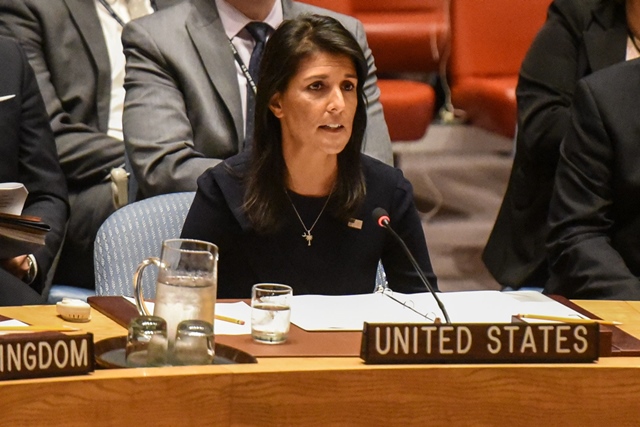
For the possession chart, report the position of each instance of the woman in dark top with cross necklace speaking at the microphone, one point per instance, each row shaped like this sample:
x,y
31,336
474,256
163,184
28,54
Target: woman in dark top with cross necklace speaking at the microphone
x,y
296,208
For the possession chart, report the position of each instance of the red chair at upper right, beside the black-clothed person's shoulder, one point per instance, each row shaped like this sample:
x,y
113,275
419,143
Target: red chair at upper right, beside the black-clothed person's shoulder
x,y
489,39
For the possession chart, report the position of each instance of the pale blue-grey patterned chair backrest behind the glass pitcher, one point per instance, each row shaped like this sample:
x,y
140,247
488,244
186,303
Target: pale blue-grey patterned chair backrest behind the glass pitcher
x,y
135,232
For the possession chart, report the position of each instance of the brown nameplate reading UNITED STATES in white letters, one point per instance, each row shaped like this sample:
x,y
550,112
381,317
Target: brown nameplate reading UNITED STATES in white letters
x,y
480,343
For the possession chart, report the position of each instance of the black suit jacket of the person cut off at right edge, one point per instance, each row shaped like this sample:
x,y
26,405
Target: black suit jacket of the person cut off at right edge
x,y
594,243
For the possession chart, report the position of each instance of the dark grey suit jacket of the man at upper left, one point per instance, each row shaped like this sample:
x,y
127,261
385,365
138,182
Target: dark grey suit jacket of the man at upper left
x,y
65,45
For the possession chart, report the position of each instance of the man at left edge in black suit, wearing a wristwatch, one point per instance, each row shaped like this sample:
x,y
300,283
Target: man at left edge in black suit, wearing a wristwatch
x,y
28,156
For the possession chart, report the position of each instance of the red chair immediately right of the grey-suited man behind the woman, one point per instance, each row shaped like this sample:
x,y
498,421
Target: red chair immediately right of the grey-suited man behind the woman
x,y
405,36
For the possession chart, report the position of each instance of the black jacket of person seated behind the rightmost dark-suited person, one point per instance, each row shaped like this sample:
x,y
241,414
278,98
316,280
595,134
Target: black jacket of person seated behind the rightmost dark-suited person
x,y
578,38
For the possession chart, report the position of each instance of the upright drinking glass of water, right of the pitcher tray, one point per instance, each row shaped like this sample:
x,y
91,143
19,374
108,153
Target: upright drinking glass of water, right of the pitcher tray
x,y
270,312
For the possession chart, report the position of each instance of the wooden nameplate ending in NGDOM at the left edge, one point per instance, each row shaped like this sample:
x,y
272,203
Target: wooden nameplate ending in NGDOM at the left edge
x,y
45,354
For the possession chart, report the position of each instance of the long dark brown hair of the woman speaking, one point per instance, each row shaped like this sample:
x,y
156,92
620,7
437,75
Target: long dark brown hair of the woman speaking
x,y
294,41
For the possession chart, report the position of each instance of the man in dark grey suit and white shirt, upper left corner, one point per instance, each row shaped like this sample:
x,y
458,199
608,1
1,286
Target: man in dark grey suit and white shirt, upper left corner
x,y
75,50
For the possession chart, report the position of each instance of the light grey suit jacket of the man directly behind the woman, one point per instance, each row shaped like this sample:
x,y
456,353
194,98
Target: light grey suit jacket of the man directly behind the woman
x,y
183,111
